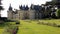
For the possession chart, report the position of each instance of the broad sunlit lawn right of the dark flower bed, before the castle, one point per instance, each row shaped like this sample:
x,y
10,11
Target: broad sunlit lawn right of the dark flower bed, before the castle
x,y
34,28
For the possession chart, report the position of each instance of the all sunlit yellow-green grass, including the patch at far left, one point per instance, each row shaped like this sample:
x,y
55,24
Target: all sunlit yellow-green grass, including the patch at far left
x,y
31,27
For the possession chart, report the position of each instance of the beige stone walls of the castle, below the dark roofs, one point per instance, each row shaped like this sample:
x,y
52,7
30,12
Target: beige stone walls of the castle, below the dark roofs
x,y
22,14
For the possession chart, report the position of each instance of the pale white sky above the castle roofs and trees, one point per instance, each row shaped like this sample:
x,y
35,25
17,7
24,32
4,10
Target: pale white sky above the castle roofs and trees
x,y
15,4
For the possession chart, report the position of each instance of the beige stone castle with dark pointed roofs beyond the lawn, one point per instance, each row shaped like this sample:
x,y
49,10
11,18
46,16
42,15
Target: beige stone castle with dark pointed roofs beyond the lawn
x,y
34,12
